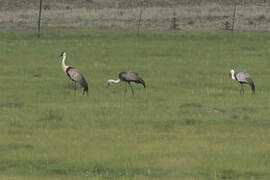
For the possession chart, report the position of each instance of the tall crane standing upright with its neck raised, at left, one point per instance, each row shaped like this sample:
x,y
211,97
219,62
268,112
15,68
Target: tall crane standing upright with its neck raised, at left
x,y
74,74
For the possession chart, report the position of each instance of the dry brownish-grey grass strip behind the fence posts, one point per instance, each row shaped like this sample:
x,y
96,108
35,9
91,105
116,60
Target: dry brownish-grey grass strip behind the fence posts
x,y
208,16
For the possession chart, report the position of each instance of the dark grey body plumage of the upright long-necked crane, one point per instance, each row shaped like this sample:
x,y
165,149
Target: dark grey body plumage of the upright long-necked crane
x,y
76,76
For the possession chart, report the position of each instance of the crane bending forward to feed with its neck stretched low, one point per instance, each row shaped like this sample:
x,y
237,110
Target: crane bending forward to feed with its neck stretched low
x,y
128,77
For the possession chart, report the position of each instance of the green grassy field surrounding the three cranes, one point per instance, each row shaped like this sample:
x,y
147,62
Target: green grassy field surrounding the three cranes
x,y
189,123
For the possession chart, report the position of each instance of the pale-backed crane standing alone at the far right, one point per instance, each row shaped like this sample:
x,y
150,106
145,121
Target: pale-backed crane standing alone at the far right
x,y
242,78
